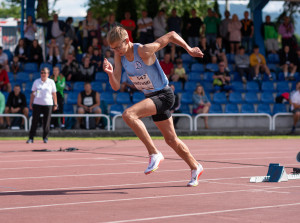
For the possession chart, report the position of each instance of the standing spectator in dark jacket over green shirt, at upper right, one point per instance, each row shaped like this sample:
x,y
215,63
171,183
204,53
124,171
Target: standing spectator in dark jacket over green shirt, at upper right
x,y
269,32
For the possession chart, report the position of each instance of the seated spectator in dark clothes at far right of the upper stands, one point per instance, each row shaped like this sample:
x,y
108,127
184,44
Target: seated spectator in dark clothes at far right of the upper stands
x,y
288,63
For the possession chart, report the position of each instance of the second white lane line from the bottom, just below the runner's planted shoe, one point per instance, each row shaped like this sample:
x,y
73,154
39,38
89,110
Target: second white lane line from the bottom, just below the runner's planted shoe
x,y
126,199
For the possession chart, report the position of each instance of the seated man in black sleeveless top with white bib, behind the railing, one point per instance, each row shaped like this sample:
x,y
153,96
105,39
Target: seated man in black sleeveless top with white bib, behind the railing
x,y
88,102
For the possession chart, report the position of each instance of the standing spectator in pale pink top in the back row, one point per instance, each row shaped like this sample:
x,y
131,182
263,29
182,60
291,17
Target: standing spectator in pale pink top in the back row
x,y
234,29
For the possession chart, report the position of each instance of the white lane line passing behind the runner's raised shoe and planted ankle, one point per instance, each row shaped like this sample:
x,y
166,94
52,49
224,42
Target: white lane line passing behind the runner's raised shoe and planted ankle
x,y
121,173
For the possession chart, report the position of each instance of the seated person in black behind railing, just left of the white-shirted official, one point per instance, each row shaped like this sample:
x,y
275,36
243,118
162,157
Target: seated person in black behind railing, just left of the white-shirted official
x,y
16,104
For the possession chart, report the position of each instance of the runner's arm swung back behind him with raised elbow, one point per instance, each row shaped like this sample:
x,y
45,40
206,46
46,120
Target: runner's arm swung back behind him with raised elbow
x,y
148,50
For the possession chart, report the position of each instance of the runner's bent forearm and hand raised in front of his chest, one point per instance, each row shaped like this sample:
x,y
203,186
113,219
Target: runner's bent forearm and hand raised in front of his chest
x,y
113,74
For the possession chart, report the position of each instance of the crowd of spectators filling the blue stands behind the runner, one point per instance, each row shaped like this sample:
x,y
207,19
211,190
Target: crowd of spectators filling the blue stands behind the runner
x,y
78,52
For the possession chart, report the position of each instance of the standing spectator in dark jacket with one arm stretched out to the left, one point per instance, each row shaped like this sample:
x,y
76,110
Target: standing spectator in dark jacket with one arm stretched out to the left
x,y
56,29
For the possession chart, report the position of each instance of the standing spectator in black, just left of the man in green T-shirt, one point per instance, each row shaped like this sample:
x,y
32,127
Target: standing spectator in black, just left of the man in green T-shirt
x,y
193,29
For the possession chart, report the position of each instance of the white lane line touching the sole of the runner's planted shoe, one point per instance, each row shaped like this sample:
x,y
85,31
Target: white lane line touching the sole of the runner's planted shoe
x,y
125,185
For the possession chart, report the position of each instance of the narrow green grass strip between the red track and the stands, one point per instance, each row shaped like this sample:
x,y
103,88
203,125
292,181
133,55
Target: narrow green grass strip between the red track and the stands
x,y
157,137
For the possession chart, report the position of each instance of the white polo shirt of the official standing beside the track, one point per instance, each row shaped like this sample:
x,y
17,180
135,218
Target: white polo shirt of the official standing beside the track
x,y
43,91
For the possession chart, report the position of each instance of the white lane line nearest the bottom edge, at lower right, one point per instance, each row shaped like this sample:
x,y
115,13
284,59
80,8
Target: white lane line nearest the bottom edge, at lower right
x,y
206,213
